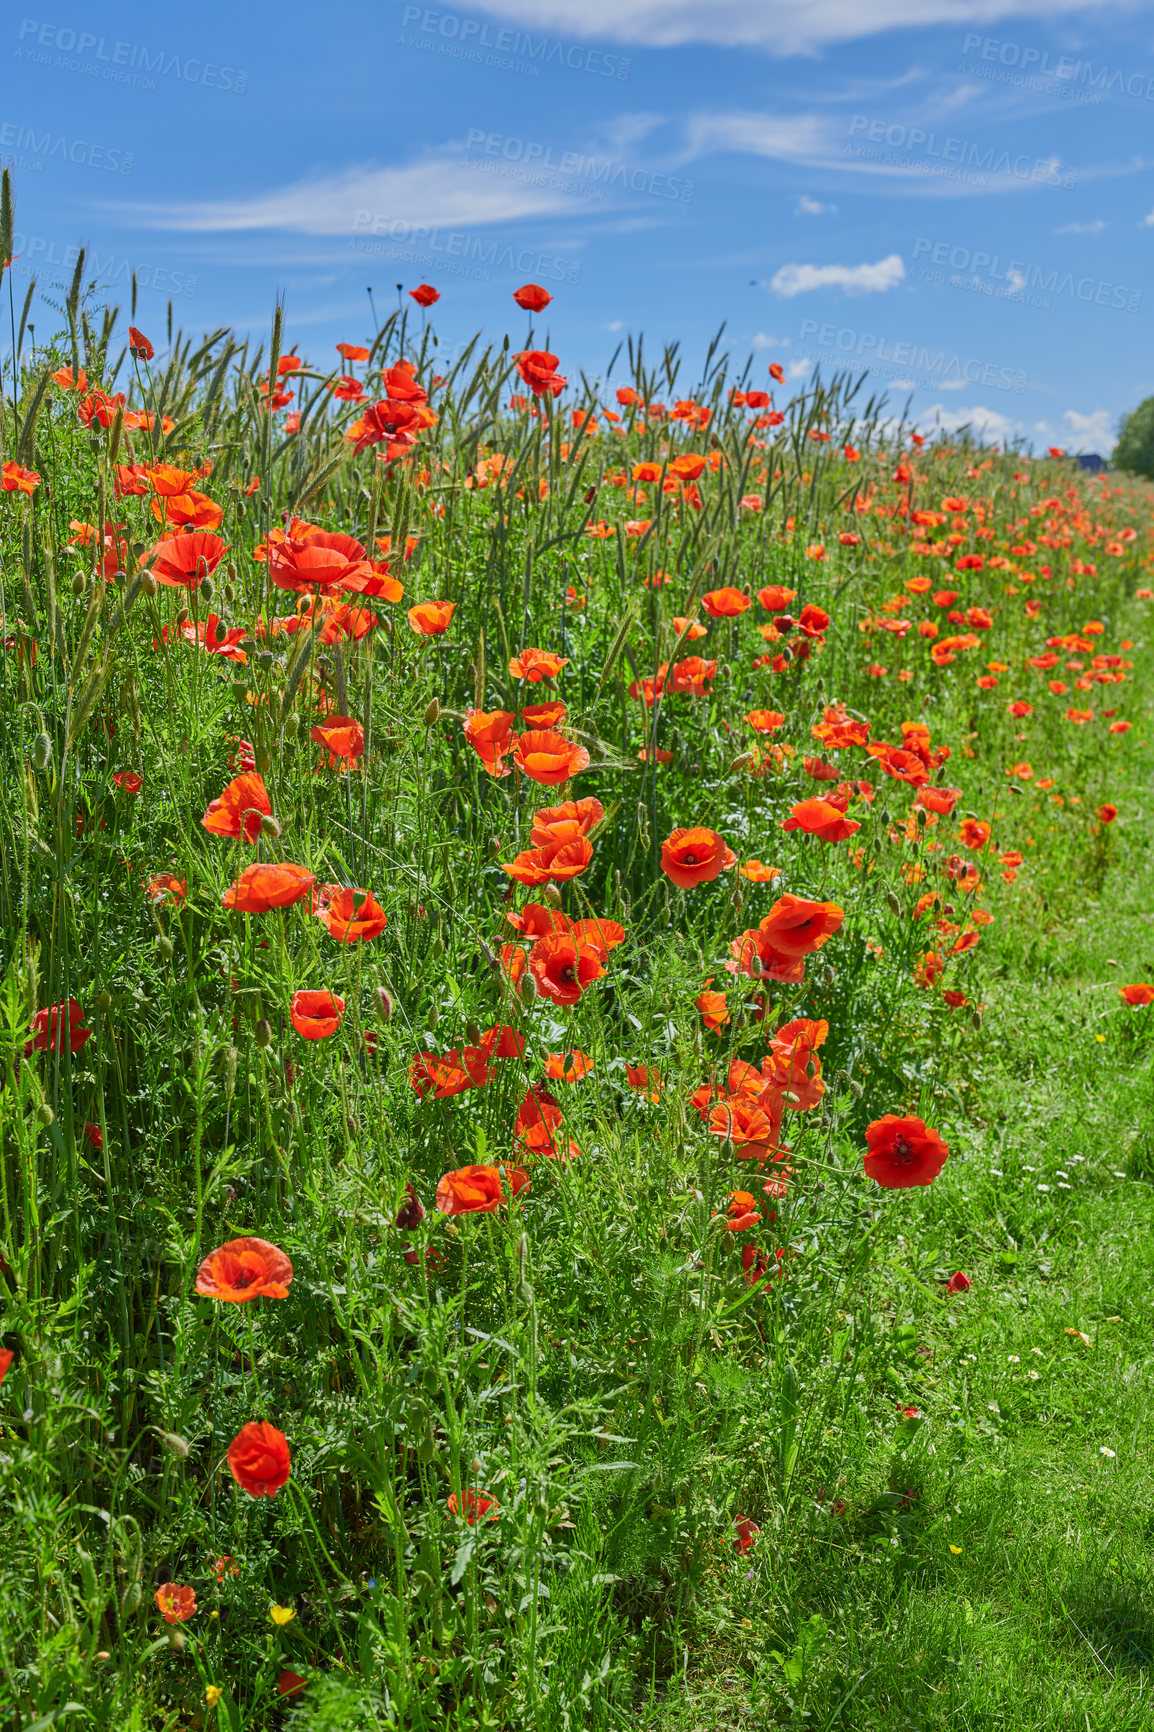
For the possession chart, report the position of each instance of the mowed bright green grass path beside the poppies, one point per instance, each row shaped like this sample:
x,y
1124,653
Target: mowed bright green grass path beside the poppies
x,y
1001,1572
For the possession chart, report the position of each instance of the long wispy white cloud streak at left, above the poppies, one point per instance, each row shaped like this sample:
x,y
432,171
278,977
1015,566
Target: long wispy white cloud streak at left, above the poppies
x,y
438,193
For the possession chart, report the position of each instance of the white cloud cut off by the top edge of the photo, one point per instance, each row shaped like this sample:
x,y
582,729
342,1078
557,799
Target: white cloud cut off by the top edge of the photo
x,y
779,25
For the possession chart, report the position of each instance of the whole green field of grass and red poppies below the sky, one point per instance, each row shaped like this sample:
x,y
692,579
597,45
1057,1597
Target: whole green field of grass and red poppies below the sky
x,y
574,1153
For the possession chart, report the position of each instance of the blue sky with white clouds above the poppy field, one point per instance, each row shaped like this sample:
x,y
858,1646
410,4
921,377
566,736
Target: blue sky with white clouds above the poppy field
x,y
956,193
